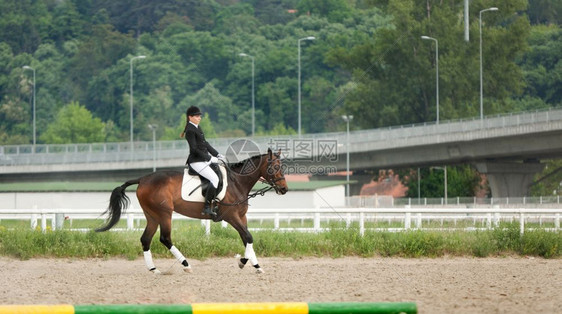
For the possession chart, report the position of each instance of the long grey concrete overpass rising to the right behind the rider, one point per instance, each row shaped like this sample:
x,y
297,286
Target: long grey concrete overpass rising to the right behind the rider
x,y
508,148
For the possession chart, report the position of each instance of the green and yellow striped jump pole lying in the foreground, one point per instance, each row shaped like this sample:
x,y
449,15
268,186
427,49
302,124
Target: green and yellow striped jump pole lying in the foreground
x,y
215,308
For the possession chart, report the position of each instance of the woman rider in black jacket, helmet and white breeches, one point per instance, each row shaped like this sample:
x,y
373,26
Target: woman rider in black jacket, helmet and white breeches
x,y
201,155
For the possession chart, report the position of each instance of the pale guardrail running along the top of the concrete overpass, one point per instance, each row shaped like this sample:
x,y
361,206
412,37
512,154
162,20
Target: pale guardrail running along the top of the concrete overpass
x,y
396,136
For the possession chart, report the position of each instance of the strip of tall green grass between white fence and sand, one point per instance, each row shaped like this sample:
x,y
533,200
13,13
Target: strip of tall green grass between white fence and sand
x,y
23,243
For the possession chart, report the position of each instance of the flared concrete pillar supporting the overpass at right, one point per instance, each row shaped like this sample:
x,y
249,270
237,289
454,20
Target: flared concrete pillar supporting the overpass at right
x,y
510,179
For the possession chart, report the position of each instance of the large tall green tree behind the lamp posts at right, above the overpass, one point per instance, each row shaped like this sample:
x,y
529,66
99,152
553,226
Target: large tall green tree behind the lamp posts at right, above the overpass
x,y
395,71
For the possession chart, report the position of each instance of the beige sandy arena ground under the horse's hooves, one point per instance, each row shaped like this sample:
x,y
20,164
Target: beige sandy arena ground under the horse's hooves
x,y
442,285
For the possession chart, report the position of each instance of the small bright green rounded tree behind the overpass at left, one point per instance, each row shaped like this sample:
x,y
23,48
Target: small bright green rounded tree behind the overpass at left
x,y
74,124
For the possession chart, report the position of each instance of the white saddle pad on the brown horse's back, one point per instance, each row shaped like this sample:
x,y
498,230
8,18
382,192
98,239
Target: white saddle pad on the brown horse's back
x,y
194,186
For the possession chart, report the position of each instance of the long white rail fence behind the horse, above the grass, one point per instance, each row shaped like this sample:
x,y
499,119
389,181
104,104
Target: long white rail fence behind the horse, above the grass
x,y
398,219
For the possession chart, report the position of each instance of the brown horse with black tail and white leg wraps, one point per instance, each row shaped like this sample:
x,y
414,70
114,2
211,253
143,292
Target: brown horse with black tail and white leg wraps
x,y
159,195
